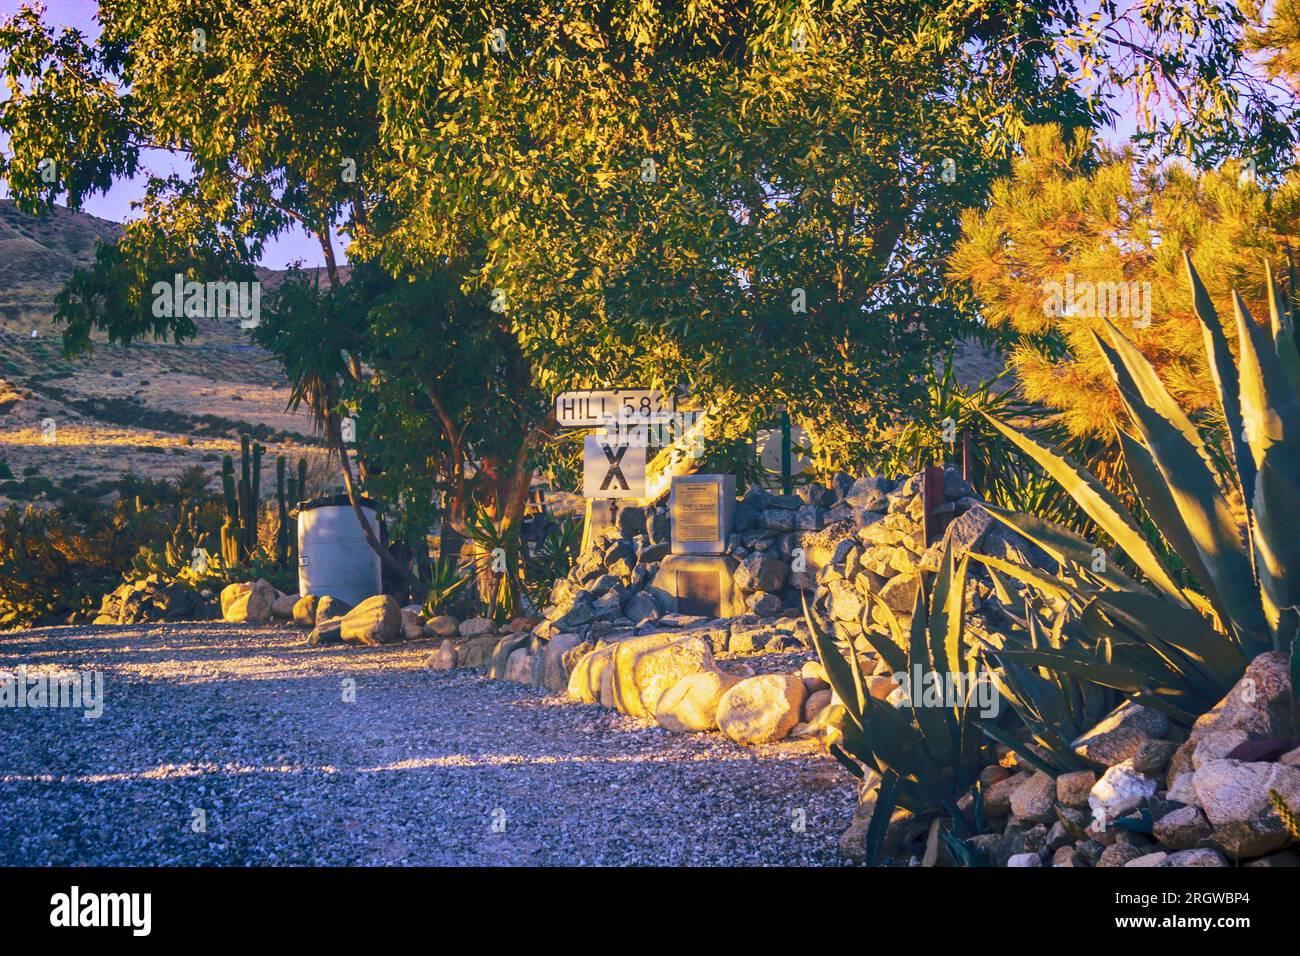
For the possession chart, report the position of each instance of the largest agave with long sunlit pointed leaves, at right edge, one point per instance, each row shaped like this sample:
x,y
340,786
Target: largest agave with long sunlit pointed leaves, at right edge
x,y
1230,518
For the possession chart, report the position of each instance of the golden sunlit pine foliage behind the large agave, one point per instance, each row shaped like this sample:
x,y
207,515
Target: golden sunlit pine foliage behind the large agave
x,y
1080,235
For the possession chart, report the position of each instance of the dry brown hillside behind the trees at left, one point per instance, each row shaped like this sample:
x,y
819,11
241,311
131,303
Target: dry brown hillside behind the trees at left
x,y
150,410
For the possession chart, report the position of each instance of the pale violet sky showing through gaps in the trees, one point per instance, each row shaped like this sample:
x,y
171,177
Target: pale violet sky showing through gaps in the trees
x,y
293,246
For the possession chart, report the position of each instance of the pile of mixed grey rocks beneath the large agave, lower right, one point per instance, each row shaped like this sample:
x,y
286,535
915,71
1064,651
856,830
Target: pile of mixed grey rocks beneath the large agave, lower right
x,y
1156,797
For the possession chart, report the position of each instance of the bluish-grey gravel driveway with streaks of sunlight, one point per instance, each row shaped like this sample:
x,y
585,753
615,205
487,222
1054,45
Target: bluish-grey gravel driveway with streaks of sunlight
x,y
424,768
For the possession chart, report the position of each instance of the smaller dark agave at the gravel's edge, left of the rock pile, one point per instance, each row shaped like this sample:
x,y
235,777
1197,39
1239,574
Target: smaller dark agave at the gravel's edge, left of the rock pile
x,y
928,755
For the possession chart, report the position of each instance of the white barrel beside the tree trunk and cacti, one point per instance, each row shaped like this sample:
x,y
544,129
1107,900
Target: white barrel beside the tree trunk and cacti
x,y
333,557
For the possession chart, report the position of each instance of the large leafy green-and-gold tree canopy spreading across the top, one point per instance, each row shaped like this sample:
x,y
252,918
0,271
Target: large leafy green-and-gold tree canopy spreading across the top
x,y
600,193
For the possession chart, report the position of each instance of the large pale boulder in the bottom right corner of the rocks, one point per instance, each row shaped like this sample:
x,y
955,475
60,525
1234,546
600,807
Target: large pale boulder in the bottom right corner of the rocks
x,y
1236,799
